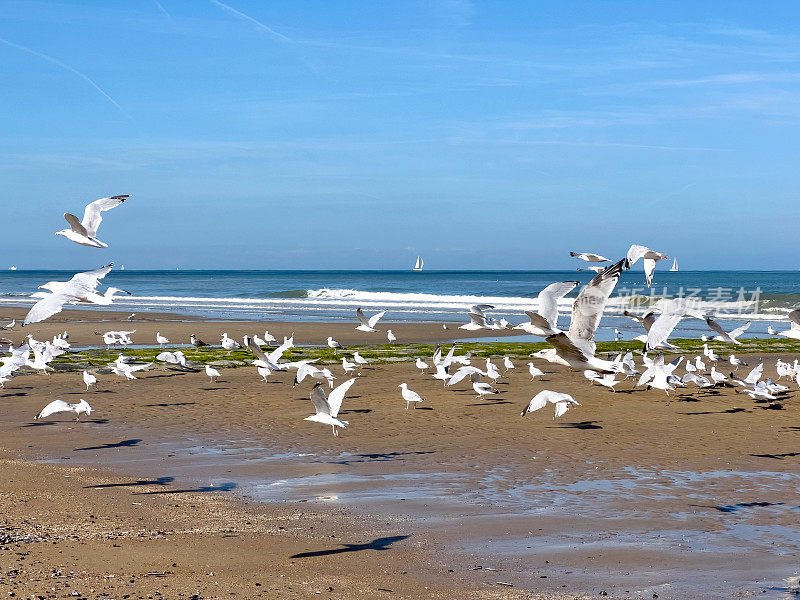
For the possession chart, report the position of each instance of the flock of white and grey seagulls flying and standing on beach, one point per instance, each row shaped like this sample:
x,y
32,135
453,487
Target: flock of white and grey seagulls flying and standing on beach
x,y
574,347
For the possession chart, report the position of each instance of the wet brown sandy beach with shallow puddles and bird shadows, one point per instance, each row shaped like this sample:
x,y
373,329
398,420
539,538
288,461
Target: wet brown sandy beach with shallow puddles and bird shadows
x,y
173,478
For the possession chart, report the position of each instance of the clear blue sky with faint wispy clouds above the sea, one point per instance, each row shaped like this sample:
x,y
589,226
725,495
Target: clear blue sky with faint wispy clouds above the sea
x,y
337,134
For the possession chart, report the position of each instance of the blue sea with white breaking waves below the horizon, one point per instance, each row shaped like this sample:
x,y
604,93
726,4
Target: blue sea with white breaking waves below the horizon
x,y
734,297
